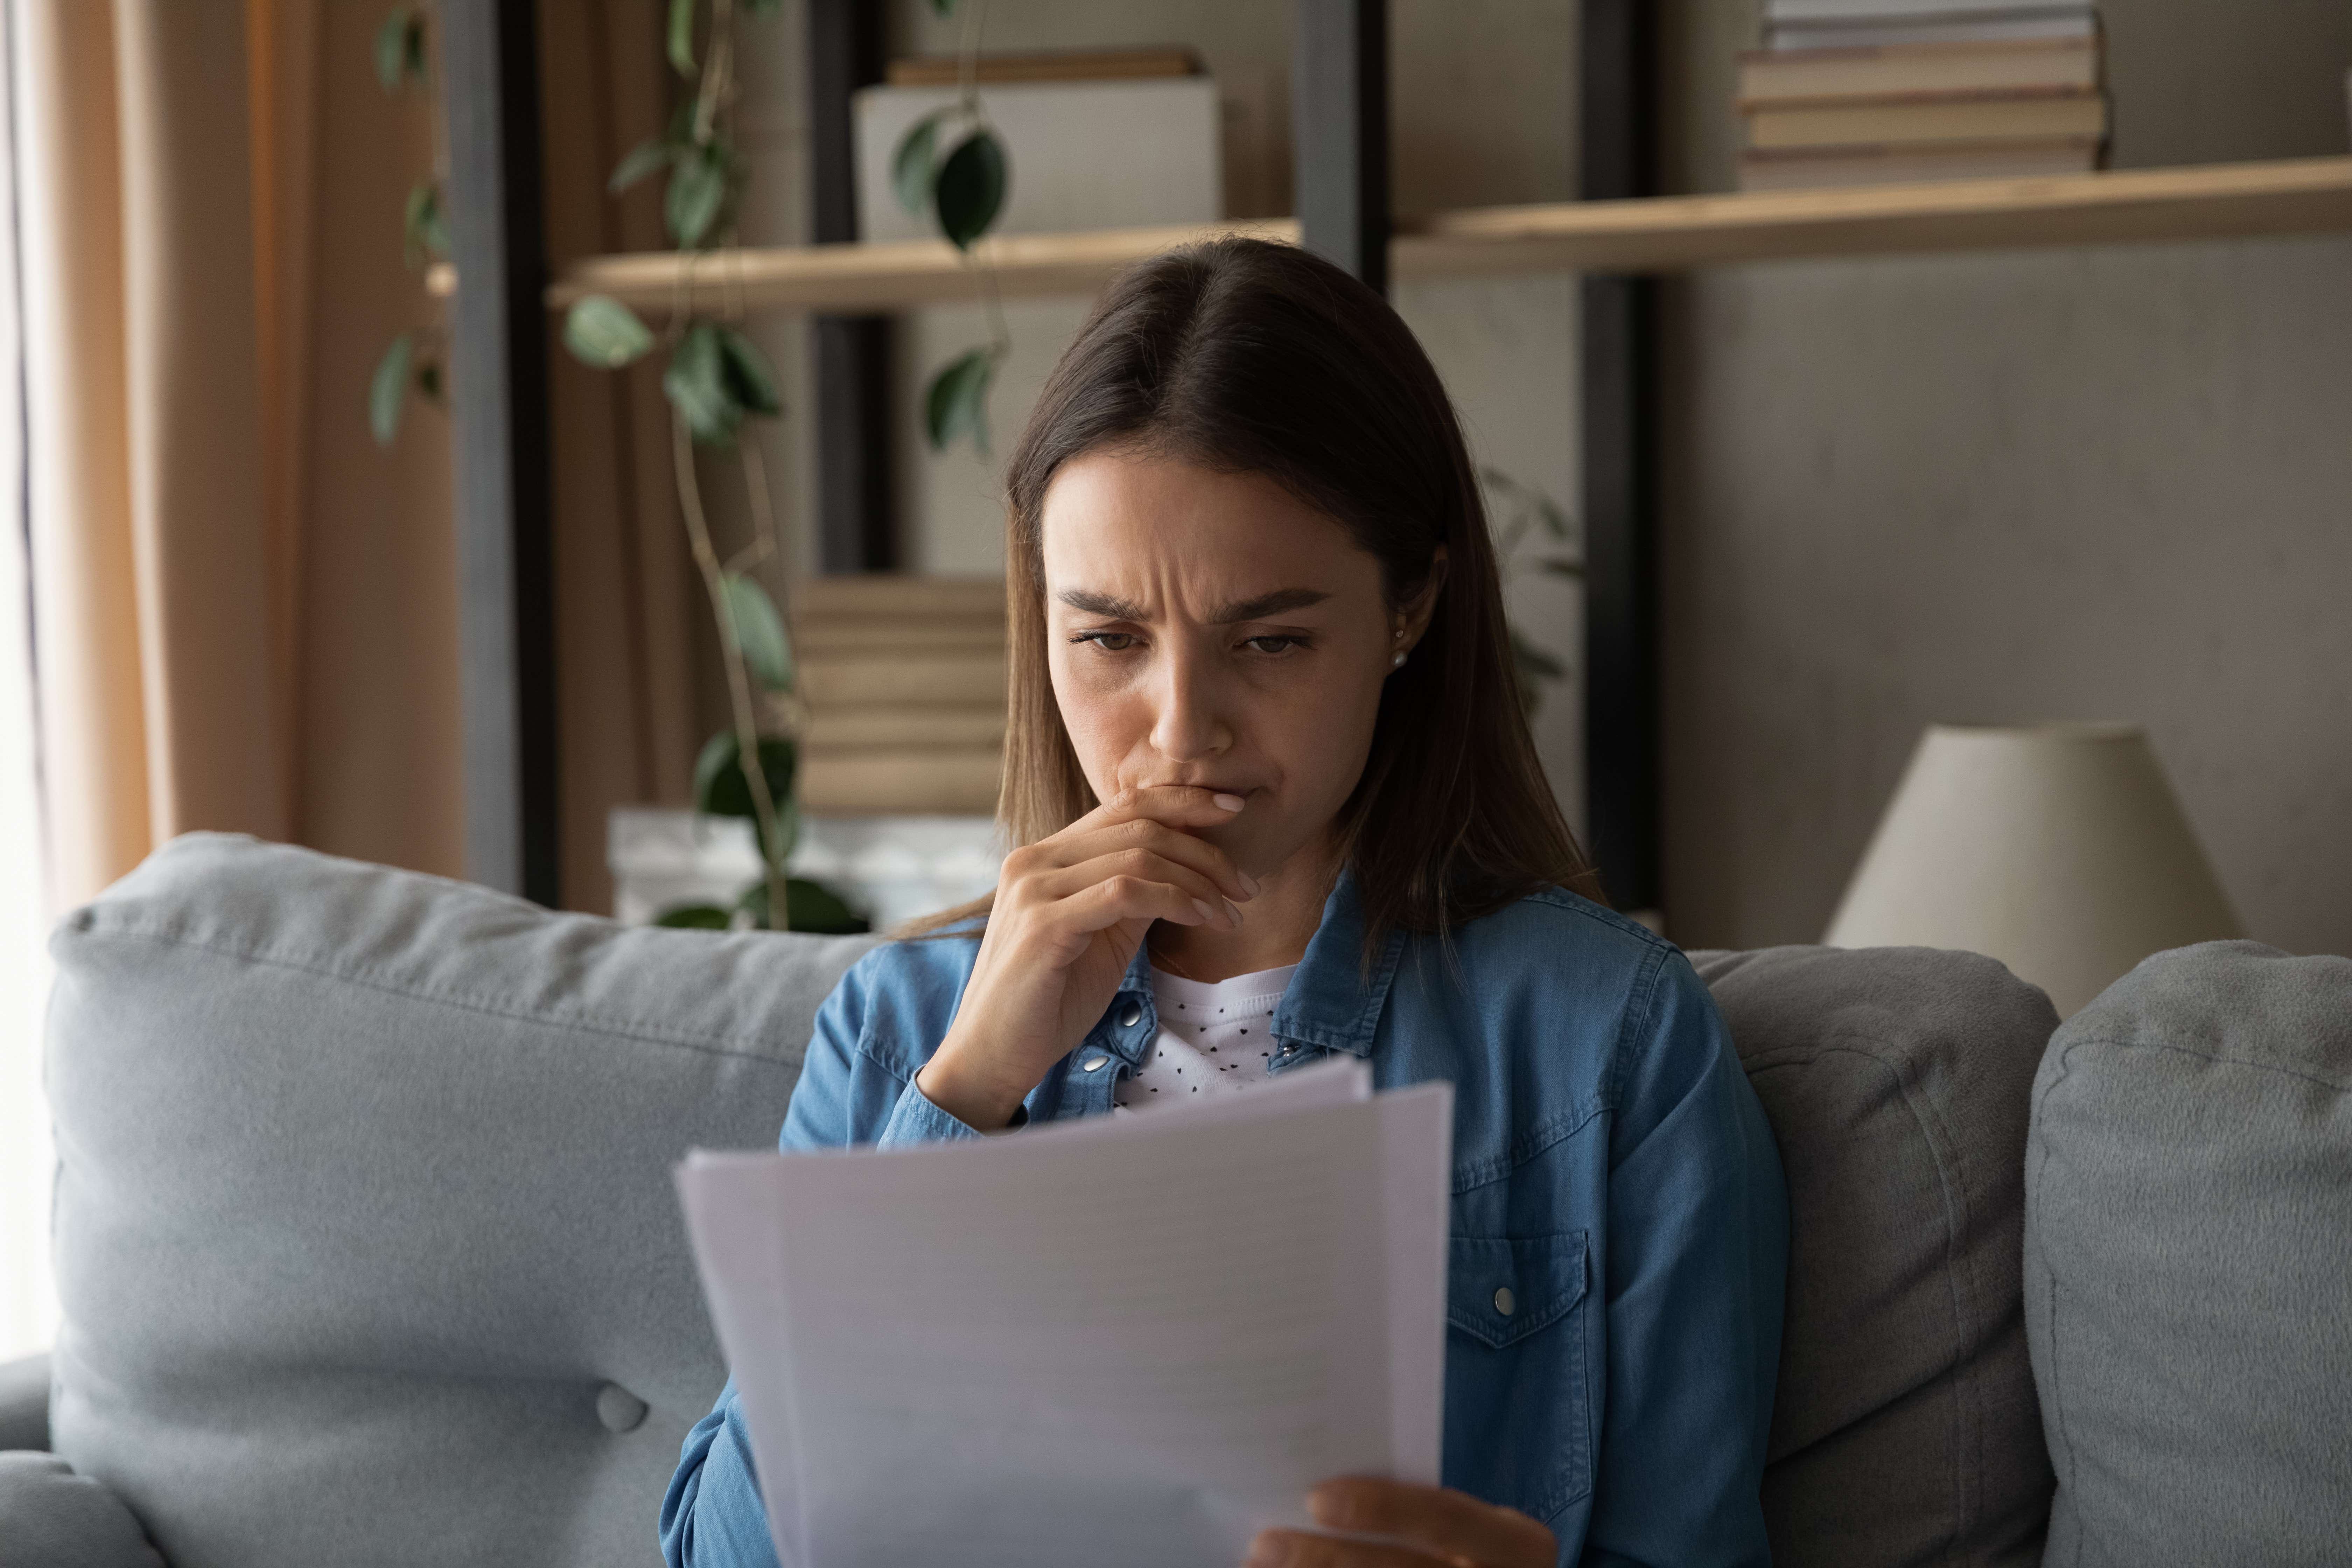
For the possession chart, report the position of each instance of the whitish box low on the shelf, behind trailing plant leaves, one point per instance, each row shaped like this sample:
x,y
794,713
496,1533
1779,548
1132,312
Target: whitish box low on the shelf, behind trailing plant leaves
x,y
890,869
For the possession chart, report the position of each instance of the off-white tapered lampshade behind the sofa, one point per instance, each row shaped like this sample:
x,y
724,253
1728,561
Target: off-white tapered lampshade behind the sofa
x,y
2057,850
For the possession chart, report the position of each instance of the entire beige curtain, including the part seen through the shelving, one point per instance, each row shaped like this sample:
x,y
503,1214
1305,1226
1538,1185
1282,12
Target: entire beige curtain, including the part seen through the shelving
x,y
246,608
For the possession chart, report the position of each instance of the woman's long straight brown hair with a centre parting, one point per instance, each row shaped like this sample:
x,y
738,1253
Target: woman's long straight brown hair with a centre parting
x,y
1264,359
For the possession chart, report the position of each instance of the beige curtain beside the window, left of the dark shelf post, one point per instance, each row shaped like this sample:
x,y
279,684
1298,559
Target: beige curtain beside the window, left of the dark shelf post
x,y
243,610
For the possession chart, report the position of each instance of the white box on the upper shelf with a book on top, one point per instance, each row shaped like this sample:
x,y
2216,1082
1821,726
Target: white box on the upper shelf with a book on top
x,y
1083,154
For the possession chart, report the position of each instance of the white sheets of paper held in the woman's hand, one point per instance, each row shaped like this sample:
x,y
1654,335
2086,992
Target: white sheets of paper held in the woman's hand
x,y
1123,1339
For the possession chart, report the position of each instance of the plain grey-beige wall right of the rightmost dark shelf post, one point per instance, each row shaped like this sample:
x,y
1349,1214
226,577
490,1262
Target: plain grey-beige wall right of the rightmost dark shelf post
x,y
2083,483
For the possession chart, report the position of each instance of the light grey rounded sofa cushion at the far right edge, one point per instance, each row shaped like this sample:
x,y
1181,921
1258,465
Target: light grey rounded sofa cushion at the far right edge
x,y
2189,1264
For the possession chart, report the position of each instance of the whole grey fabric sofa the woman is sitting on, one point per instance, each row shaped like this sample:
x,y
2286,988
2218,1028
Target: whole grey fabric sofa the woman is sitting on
x,y
370,1257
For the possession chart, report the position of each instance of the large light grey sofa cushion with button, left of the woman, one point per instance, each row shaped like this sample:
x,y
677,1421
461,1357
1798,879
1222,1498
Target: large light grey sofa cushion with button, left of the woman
x,y
366,1231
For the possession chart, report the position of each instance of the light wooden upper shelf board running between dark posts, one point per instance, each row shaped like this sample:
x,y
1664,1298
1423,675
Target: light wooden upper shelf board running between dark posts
x,y
1645,236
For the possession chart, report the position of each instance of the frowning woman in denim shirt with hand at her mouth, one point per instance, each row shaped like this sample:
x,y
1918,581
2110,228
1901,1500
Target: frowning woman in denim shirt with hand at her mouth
x,y
1276,800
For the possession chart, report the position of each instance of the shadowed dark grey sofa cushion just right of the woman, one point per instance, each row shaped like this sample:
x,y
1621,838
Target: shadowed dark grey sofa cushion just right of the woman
x,y
1897,1083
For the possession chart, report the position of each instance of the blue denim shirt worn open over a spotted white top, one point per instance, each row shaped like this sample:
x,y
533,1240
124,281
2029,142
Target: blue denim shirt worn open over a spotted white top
x,y
1612,1172
